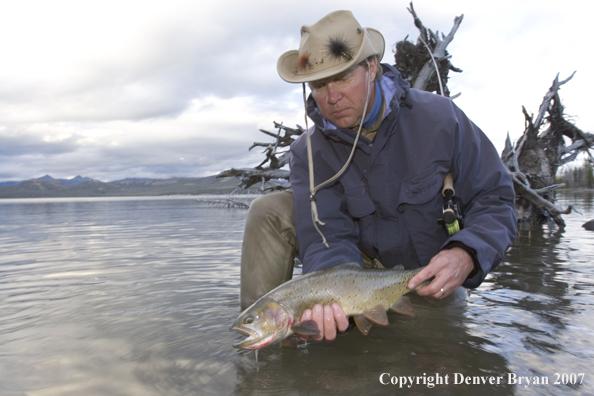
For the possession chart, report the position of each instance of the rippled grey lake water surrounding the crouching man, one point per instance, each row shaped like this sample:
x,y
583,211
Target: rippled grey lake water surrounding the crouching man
x,y
135,296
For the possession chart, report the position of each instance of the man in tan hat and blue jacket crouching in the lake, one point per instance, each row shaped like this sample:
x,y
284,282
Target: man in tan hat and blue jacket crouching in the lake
x,y
367,178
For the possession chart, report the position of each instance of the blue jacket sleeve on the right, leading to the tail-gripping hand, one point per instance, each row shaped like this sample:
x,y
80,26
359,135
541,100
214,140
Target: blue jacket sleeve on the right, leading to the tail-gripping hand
x,y
486,196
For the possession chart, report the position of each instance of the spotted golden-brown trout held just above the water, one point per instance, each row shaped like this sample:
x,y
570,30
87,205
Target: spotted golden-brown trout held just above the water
x,y
364,294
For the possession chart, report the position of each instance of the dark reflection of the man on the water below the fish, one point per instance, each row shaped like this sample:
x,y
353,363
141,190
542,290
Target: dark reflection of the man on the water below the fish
x,y
433,342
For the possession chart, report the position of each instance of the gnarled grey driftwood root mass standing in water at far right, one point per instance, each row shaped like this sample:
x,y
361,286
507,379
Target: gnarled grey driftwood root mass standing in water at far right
x,y
538,154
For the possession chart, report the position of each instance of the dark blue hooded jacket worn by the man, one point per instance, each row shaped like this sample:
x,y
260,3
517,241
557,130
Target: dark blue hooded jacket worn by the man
x,y
388,201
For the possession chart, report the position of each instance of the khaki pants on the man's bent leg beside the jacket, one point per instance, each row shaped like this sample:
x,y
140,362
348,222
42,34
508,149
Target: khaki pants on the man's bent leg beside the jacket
x,y
270,246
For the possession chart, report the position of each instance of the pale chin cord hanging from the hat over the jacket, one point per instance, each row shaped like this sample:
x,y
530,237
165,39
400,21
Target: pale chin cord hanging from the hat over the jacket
x,y
312,187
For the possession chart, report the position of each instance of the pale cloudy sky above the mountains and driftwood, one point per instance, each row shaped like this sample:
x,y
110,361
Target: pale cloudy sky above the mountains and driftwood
x,y
114,89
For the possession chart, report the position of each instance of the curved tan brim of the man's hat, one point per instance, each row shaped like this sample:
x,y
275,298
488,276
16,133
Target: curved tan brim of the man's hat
x,y
288,70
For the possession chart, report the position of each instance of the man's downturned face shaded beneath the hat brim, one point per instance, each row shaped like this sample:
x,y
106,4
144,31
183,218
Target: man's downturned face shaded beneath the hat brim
x,y
341,98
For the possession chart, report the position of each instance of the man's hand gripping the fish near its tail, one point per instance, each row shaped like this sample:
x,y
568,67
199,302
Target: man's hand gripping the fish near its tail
x,y
450,268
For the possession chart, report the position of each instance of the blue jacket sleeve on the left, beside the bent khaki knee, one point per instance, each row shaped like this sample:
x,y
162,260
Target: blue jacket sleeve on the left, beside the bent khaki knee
x,y
340,230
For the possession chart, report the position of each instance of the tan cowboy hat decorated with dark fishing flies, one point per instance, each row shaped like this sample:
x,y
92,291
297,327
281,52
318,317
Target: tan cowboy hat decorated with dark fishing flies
x,y
329,47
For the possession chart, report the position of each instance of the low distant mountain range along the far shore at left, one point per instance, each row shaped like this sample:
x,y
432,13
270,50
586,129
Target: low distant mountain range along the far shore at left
x,y
48,187
